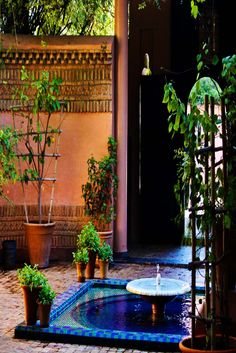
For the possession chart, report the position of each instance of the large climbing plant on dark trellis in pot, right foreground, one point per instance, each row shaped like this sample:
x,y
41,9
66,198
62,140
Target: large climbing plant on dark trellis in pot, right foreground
x,y
207,176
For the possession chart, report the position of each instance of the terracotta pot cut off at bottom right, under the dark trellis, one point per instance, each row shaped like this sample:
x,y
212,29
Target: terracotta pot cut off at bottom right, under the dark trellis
x,y
185,346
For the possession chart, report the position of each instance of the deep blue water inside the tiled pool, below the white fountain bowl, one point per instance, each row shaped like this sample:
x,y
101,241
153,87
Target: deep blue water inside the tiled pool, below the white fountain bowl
x,y
117,309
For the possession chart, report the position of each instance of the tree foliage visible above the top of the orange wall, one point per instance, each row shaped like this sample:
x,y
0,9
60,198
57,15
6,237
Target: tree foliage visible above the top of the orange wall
x,y
57,17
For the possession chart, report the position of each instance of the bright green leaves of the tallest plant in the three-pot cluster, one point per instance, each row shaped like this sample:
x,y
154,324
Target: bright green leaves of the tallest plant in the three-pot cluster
x,y
88,238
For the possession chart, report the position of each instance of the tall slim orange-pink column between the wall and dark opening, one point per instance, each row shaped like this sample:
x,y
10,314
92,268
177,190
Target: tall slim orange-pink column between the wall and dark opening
x,y
121,121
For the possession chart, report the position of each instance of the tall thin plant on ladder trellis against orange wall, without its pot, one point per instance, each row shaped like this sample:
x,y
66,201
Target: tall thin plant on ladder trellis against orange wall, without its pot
x,y
39,141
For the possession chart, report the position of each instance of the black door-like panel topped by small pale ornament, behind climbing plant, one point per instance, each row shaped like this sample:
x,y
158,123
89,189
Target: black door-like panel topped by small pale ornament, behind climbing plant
x,y
158,171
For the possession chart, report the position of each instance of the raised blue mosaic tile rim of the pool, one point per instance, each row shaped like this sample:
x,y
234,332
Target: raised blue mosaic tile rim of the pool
x,y
99,337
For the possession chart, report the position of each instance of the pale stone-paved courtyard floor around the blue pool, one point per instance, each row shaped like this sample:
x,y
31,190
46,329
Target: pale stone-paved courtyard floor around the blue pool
x,y
61,276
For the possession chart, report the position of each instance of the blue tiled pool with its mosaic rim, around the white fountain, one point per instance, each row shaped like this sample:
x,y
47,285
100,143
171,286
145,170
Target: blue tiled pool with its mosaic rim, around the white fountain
x,y
103,312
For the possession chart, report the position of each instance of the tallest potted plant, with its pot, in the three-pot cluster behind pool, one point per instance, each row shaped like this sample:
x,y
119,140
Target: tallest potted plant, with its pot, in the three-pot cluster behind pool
x,y
89,239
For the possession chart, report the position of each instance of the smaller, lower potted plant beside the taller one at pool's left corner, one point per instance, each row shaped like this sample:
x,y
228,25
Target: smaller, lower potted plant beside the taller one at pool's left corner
x,y
45,300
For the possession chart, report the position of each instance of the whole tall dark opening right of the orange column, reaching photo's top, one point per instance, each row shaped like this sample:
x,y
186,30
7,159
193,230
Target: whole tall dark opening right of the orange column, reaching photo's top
x,y
172,38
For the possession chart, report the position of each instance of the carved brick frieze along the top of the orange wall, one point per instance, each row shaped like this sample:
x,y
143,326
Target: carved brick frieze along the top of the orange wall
x,y
86,76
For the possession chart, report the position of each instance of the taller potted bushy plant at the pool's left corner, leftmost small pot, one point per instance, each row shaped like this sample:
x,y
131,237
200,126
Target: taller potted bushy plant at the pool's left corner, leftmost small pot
x,y
31,281
